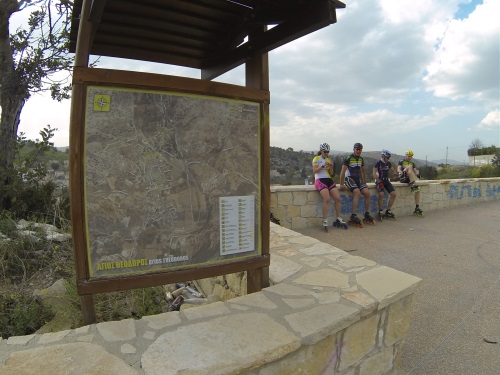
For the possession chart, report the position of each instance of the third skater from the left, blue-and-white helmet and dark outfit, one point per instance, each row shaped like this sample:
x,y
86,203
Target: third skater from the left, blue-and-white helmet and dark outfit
x,y
382,181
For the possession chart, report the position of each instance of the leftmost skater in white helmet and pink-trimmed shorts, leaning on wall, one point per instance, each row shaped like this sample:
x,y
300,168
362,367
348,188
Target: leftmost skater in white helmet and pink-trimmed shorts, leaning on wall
x,y
323,172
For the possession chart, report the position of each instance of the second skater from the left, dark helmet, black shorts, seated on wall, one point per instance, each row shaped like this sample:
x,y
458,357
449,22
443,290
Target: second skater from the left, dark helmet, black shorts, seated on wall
x,y
353,176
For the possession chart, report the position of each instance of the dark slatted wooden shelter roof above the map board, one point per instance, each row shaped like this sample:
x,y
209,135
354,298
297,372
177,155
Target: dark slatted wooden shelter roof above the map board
x,y
210,35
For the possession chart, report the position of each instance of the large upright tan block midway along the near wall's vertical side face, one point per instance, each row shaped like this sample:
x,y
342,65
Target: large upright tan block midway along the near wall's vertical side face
x,y
359,339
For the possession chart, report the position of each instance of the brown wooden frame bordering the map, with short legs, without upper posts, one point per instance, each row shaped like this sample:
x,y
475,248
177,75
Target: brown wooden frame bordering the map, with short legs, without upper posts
x,y
86,285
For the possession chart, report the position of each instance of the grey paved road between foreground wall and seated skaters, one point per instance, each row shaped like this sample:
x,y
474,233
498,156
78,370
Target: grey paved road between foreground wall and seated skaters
x,y
457,307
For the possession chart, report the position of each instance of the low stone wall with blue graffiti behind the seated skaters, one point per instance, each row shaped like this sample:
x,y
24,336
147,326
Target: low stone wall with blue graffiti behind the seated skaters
x,y
300,207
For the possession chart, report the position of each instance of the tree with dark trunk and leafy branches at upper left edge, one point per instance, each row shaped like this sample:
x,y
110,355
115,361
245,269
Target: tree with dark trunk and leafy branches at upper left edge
x,y
29,58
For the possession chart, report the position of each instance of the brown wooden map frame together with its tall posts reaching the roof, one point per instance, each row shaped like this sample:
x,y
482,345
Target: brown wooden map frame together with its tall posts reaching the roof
x,y
257,77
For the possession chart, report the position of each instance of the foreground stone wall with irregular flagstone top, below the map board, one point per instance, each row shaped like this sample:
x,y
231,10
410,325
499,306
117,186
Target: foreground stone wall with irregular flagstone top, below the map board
x,y
327,311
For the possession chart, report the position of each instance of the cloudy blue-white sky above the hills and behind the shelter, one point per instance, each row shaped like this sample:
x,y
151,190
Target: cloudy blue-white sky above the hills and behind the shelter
x,y
390,74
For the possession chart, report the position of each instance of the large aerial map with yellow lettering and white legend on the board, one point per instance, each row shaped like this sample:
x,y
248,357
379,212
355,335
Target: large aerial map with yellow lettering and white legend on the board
x,y
171,180
